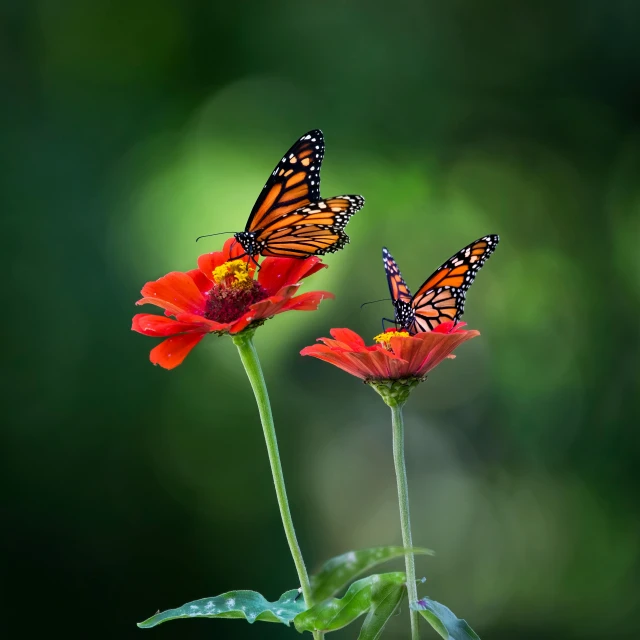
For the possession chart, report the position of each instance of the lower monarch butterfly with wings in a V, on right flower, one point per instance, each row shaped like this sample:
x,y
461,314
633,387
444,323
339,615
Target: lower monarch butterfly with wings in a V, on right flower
x,y
441,297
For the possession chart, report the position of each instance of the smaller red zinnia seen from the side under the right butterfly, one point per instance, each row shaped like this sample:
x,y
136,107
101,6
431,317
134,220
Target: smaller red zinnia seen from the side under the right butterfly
x,y
398,360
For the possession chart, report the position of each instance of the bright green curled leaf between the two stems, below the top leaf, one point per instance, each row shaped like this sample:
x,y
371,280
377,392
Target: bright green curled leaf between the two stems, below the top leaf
x,y
333,613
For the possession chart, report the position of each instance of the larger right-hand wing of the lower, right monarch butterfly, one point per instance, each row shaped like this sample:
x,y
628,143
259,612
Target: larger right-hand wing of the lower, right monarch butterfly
x,y
441,298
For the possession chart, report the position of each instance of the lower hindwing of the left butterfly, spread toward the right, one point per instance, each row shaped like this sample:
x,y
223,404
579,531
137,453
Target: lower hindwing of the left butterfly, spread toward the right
x,y
312,230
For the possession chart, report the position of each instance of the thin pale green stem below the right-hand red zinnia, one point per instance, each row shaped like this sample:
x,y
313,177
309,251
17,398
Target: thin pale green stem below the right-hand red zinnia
x,y
403,500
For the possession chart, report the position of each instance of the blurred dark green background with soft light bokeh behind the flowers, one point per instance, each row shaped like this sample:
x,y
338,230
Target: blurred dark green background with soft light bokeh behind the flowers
x,y
131,127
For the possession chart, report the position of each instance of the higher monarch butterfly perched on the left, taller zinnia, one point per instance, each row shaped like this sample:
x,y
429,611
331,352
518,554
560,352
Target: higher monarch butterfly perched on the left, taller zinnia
x,y
289,218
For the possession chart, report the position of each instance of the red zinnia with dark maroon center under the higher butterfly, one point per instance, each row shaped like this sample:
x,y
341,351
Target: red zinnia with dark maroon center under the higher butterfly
x,y
222,296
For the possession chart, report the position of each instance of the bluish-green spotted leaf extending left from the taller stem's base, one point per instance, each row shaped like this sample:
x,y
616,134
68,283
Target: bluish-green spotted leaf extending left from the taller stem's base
x,y
235,604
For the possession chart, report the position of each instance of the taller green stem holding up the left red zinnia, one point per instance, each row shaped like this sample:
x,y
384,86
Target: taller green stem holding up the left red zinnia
x,y
249,357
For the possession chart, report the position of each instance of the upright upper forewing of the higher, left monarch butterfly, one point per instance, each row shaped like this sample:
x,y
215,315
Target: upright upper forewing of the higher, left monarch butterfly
x,y
294,183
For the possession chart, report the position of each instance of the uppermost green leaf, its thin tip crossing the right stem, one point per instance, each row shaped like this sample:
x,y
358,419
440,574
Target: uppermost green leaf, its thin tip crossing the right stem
x,y
337,573
